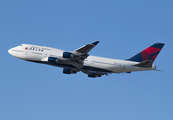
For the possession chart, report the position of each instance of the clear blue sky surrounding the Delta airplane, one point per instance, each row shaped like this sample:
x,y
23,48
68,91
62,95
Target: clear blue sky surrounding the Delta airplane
x,y
30,91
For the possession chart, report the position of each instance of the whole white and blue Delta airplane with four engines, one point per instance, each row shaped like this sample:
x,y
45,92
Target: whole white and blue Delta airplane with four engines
x,y
79,59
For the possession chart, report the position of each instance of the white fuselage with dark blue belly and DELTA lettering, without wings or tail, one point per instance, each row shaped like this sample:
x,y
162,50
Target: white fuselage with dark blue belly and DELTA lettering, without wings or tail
x,y
40,54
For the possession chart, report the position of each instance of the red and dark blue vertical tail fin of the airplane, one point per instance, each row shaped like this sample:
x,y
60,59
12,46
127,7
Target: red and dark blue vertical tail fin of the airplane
x,y
149,53
